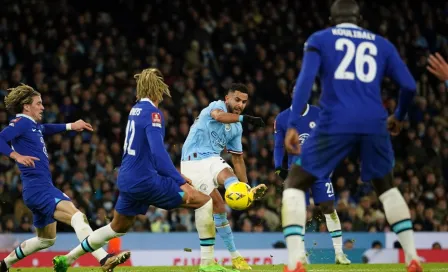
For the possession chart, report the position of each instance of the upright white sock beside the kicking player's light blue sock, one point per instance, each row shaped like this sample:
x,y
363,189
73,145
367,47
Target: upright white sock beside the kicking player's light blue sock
x,y
206,230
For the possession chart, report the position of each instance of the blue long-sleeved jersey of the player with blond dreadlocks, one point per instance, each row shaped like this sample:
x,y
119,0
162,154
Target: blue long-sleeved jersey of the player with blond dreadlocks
x,y
144,153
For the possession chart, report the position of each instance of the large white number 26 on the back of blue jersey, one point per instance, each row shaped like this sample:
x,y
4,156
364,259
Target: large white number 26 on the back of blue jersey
x,y
363,54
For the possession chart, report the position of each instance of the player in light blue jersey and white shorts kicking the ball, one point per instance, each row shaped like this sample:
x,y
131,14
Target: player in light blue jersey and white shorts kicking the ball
x,y
218,127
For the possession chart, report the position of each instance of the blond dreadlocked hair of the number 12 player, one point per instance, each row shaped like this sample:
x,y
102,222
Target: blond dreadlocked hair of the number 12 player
x,y
150,84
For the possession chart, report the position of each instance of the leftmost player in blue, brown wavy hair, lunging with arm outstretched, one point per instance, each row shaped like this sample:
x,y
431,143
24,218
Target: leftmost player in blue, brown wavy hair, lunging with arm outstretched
x,y
47,203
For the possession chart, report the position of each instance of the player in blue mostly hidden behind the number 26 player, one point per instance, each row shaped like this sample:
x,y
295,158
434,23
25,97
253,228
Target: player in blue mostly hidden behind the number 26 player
x,y
322,189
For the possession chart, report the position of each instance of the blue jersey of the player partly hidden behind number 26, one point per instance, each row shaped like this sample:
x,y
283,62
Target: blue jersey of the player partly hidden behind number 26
x,y
306,123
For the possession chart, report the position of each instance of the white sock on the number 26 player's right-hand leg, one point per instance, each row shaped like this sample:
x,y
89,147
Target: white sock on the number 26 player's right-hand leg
x,y
399,218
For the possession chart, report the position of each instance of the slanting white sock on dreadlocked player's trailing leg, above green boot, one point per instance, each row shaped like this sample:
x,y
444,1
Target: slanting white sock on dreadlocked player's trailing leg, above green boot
x,y
96,240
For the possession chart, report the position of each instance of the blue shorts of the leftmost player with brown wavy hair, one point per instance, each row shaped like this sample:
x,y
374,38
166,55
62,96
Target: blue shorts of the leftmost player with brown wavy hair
x,y
42,202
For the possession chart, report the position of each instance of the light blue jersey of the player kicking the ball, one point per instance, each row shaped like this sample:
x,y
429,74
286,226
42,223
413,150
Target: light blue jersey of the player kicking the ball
x,y
208,137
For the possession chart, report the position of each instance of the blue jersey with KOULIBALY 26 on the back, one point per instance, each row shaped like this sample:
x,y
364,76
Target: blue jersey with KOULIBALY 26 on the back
x,y
353,62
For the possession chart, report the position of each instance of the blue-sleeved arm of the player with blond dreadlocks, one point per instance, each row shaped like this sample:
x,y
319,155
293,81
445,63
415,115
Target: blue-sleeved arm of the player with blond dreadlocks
x,y
164,165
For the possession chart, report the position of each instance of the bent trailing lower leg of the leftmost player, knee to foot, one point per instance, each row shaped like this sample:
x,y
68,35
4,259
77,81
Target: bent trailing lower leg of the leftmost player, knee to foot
x,y
46,236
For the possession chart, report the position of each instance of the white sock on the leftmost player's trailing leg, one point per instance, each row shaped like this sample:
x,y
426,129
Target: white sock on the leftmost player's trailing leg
x,y
26,248
